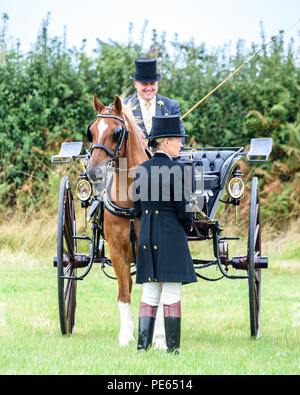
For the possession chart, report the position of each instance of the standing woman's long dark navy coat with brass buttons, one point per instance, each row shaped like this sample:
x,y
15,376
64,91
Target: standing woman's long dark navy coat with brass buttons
x,y
163,251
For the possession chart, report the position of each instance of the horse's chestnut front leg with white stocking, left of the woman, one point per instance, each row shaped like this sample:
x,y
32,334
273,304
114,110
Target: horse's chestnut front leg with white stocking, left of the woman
x,y
122,270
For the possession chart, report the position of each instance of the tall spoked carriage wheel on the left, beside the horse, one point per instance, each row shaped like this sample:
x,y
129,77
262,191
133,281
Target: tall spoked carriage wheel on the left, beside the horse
x,y
66,249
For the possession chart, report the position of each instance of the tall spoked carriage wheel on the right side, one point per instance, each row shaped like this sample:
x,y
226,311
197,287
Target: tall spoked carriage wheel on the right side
x,y
254,252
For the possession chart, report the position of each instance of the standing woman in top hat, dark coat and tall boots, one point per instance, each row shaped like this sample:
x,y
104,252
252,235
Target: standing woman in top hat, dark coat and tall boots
x,y
164,261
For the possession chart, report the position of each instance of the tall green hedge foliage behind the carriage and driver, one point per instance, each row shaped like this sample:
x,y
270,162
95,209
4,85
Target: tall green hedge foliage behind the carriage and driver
x,y
46,98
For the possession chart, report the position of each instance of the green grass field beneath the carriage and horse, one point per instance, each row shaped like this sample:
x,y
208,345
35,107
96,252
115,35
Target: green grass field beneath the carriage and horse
x,y
215,324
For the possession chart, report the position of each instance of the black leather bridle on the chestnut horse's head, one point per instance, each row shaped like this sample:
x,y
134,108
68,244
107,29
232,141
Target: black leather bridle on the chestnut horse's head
x,y
120,135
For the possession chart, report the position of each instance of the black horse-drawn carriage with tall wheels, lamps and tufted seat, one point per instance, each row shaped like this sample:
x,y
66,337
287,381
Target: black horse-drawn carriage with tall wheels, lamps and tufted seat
x,y
215,170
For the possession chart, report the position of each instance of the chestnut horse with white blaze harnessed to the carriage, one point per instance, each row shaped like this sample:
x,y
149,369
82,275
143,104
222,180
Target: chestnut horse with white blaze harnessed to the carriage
x,y
115,135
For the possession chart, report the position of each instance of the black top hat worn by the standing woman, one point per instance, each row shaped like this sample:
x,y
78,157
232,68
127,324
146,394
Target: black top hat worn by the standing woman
x,y
166,127
